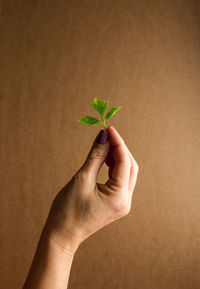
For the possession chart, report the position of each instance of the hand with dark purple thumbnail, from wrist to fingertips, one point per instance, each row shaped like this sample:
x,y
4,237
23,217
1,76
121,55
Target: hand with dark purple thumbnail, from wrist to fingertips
x,y
84,206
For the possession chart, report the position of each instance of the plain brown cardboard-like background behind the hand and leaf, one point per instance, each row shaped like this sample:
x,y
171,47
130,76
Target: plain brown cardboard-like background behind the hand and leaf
x,y
144,55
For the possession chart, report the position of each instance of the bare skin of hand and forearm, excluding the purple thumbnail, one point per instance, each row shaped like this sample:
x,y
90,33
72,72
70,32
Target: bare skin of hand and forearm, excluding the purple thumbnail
x,y
81,208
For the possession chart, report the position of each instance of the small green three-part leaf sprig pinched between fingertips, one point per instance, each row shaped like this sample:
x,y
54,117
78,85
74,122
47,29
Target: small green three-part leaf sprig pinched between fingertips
x,y
99,105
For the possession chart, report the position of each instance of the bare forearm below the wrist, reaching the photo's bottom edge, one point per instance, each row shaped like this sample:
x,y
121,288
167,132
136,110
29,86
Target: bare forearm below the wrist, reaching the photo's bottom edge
x,y
51,266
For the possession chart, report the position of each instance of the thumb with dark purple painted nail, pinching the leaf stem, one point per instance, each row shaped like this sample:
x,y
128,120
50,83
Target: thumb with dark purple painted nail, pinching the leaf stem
x,y
97,154
